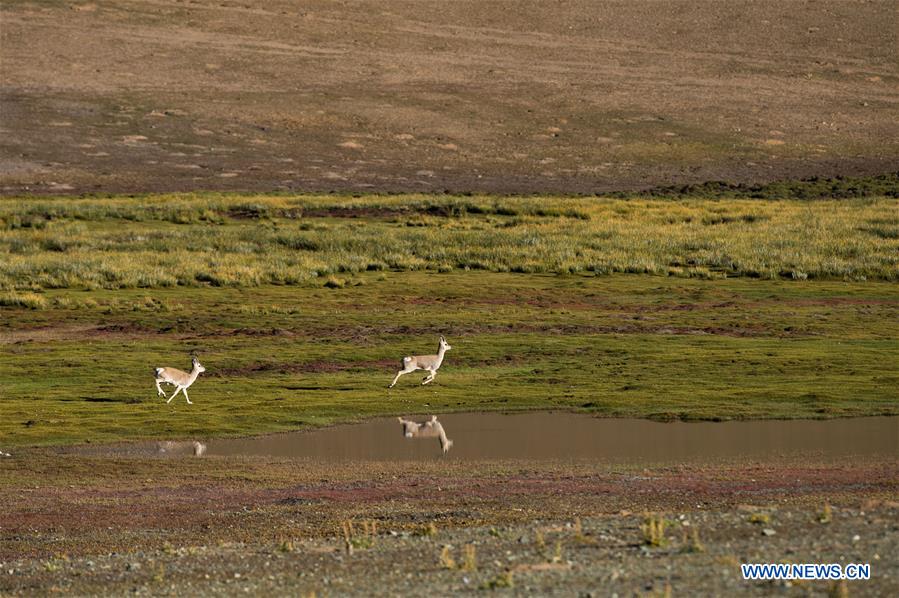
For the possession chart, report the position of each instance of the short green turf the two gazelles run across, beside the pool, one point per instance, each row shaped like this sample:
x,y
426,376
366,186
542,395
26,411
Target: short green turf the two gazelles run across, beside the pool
x,y
283,357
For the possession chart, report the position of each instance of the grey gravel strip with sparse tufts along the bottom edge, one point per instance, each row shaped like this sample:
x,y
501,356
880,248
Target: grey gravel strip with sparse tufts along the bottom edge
x,y
605,556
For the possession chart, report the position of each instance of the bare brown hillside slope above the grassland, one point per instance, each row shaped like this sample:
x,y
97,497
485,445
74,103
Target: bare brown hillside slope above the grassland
x,y
385,95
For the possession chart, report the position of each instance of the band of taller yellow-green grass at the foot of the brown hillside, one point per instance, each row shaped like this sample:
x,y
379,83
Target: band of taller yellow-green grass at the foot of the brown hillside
x,y
199,240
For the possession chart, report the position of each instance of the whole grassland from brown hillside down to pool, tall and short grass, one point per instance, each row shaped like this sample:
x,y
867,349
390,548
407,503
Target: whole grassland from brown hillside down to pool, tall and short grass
x,y
300,307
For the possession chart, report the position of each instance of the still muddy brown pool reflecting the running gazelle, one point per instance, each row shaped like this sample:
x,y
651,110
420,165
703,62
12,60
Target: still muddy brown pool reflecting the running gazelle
x,y
574,436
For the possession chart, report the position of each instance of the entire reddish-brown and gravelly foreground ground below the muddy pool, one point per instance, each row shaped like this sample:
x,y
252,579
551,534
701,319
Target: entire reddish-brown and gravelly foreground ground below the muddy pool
x,y
206,526
